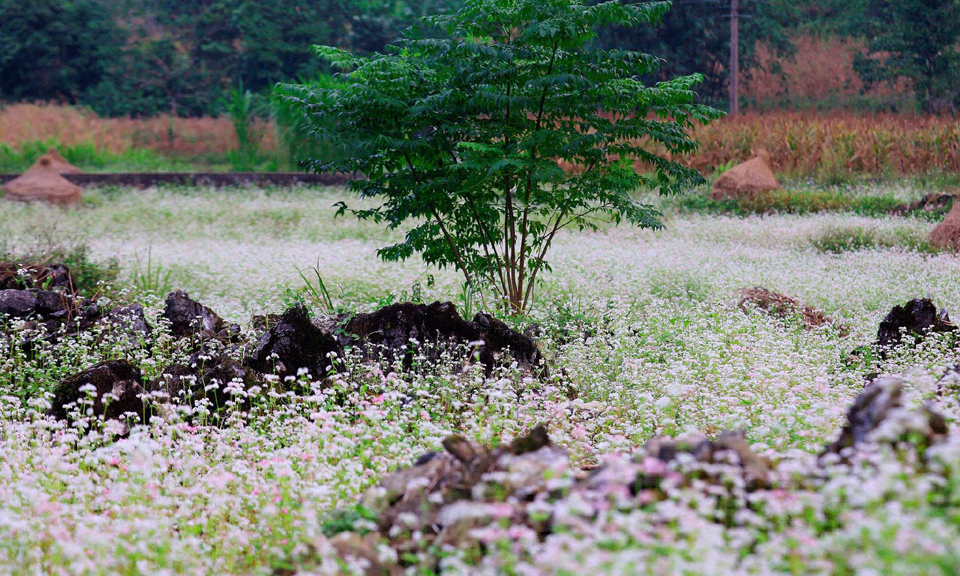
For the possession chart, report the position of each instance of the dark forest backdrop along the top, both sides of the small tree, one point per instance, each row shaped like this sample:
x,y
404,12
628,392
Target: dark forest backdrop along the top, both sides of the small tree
x,y
147,57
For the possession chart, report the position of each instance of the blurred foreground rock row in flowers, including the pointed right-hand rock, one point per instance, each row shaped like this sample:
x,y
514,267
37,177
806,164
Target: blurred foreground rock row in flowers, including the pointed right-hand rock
x,y
461,498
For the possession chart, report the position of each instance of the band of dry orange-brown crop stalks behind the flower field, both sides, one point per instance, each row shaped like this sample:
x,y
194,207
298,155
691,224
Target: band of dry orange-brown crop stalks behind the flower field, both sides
x,y
800,143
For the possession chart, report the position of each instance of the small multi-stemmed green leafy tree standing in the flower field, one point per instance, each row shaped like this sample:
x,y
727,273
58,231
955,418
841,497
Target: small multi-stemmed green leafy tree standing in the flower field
x,y
512,127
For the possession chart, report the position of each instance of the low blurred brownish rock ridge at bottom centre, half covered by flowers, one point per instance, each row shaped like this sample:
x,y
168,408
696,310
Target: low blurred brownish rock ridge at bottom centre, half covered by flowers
x,y
452,499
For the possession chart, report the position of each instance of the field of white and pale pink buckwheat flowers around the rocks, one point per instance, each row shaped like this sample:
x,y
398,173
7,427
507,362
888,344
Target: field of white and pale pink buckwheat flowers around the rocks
x,y
643,339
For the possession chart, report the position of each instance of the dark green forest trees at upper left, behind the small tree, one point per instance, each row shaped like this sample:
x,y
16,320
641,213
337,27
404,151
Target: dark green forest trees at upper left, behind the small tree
x,y
142,57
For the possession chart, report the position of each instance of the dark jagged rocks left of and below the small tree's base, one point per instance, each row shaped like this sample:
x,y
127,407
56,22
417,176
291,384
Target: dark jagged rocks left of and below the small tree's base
x,y
291,343
